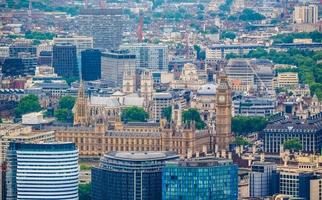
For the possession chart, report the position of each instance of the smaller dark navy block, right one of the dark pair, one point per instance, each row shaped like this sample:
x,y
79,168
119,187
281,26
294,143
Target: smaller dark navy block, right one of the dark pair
x,y
91,64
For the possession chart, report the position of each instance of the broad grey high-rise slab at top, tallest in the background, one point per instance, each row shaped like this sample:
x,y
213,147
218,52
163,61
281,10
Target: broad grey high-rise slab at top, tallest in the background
x,y
106,26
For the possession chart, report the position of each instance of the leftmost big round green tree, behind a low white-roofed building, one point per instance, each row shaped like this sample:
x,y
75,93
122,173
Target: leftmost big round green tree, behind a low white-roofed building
x,y
28,104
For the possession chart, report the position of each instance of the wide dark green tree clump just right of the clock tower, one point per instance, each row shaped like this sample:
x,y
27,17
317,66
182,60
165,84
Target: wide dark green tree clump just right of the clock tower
x,y
243,125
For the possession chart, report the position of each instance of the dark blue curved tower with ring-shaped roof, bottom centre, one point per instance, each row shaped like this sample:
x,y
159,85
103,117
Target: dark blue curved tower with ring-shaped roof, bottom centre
x,y
130,175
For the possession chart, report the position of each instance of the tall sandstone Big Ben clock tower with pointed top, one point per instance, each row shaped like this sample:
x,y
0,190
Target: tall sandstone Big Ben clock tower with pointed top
x,y
223,135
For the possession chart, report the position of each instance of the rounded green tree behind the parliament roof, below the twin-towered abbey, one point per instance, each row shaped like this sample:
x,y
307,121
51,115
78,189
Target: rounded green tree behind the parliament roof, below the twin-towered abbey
x,y
134,114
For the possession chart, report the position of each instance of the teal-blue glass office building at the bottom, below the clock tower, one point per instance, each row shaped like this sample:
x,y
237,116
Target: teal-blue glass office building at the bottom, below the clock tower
x,y
206,178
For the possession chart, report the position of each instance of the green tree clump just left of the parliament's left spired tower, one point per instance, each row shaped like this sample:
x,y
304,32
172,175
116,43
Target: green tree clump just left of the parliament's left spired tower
x,y
64,111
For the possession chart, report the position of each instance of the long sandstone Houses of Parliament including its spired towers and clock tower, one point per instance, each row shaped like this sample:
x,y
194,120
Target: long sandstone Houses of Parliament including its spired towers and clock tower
x,y
108,133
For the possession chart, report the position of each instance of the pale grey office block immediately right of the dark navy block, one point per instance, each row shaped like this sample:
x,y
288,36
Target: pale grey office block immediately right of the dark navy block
x,y
114,64
